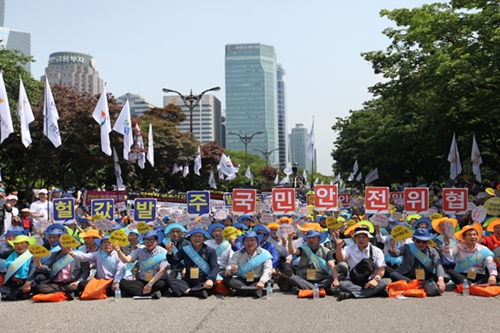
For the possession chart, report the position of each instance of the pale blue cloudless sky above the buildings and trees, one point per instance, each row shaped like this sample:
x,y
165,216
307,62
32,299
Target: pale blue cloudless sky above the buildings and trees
x,y
143,46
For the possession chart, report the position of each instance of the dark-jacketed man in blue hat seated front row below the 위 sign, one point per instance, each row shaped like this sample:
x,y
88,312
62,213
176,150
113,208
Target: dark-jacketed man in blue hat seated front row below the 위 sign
x,y
420,262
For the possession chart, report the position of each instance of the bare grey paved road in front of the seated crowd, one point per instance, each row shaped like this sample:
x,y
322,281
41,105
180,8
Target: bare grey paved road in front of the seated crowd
x,y
284,313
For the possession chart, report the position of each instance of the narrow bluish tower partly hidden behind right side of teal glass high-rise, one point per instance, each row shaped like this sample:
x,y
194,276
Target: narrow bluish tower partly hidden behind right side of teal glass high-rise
x,y
282,131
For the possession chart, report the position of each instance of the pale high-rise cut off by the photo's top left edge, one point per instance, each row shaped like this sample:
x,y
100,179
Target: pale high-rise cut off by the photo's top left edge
x,y
14,39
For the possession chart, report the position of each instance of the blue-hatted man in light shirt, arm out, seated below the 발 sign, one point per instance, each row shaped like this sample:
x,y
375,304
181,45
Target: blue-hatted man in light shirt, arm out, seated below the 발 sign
x,y
152,268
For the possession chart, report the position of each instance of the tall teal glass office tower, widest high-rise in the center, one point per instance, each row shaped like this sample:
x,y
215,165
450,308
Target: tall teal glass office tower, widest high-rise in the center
x,y
252,98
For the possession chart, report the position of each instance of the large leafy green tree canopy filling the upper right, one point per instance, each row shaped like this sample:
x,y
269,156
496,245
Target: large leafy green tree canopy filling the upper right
x,y
441,76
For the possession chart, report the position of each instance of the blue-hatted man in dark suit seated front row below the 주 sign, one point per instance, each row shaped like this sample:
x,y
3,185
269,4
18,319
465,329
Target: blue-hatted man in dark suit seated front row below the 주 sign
x,y
201,266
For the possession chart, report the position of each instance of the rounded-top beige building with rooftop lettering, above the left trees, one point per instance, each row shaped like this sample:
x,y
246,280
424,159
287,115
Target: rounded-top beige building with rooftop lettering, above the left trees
x,y
74,70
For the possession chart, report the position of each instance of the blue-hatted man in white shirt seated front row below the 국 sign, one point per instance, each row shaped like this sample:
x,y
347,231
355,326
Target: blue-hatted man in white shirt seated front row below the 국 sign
x,y
252,266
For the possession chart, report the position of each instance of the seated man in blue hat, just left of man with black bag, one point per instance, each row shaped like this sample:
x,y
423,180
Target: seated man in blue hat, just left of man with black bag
x,y
316,265
